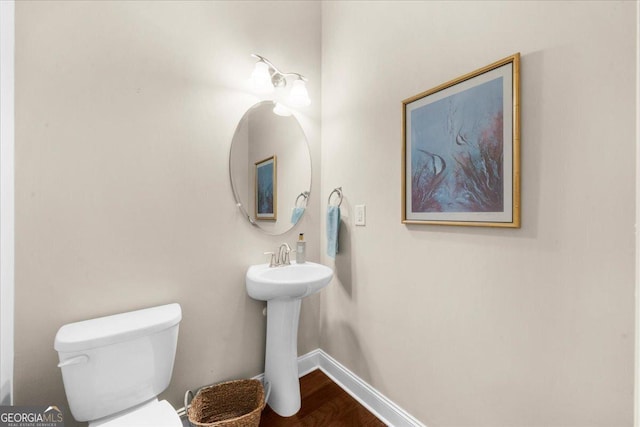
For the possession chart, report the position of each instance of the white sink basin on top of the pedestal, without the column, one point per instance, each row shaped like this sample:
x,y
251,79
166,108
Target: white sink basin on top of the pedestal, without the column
x,y
265,283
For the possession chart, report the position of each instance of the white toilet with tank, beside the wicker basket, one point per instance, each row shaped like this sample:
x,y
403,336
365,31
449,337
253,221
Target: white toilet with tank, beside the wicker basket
x,y
114,367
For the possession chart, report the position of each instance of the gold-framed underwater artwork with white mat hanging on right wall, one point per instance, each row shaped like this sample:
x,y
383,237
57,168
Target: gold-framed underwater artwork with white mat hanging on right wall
x,y
461,150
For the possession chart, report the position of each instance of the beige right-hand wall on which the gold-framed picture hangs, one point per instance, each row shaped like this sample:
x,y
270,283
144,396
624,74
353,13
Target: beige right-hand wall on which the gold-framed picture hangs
x,y
480,326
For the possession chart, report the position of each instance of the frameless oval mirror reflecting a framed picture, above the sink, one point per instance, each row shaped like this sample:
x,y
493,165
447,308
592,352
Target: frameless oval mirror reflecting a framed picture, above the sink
x,y
270,168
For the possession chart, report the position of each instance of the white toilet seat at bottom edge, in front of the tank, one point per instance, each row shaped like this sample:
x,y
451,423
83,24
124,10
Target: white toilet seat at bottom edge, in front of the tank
x,y
153,414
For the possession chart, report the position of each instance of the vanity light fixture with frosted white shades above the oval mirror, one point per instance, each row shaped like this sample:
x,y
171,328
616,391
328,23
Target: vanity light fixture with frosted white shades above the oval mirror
x,y
266,77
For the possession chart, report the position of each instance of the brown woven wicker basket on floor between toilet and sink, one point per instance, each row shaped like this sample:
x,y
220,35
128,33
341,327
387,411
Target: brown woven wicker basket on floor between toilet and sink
x,y
230,404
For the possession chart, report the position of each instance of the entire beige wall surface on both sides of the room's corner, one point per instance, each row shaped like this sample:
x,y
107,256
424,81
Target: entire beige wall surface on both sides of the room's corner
x,y
124,116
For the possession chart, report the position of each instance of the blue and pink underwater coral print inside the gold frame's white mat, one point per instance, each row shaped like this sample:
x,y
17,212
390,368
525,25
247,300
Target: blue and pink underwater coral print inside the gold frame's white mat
x,y
457,152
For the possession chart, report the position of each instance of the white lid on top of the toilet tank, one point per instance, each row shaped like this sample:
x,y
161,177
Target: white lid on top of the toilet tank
x,y
107,330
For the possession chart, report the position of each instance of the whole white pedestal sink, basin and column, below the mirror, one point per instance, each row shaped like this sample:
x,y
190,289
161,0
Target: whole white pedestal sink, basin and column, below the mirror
x,y
283,288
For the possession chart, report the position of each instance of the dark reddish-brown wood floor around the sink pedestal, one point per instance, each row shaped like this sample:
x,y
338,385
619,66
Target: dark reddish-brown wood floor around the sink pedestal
x,y
324,403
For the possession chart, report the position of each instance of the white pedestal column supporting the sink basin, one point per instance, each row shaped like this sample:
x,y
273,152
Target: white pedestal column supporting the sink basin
x,y
281,362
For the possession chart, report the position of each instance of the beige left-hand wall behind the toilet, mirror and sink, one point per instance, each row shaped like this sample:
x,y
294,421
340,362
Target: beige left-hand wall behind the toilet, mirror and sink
x,y
125,113
